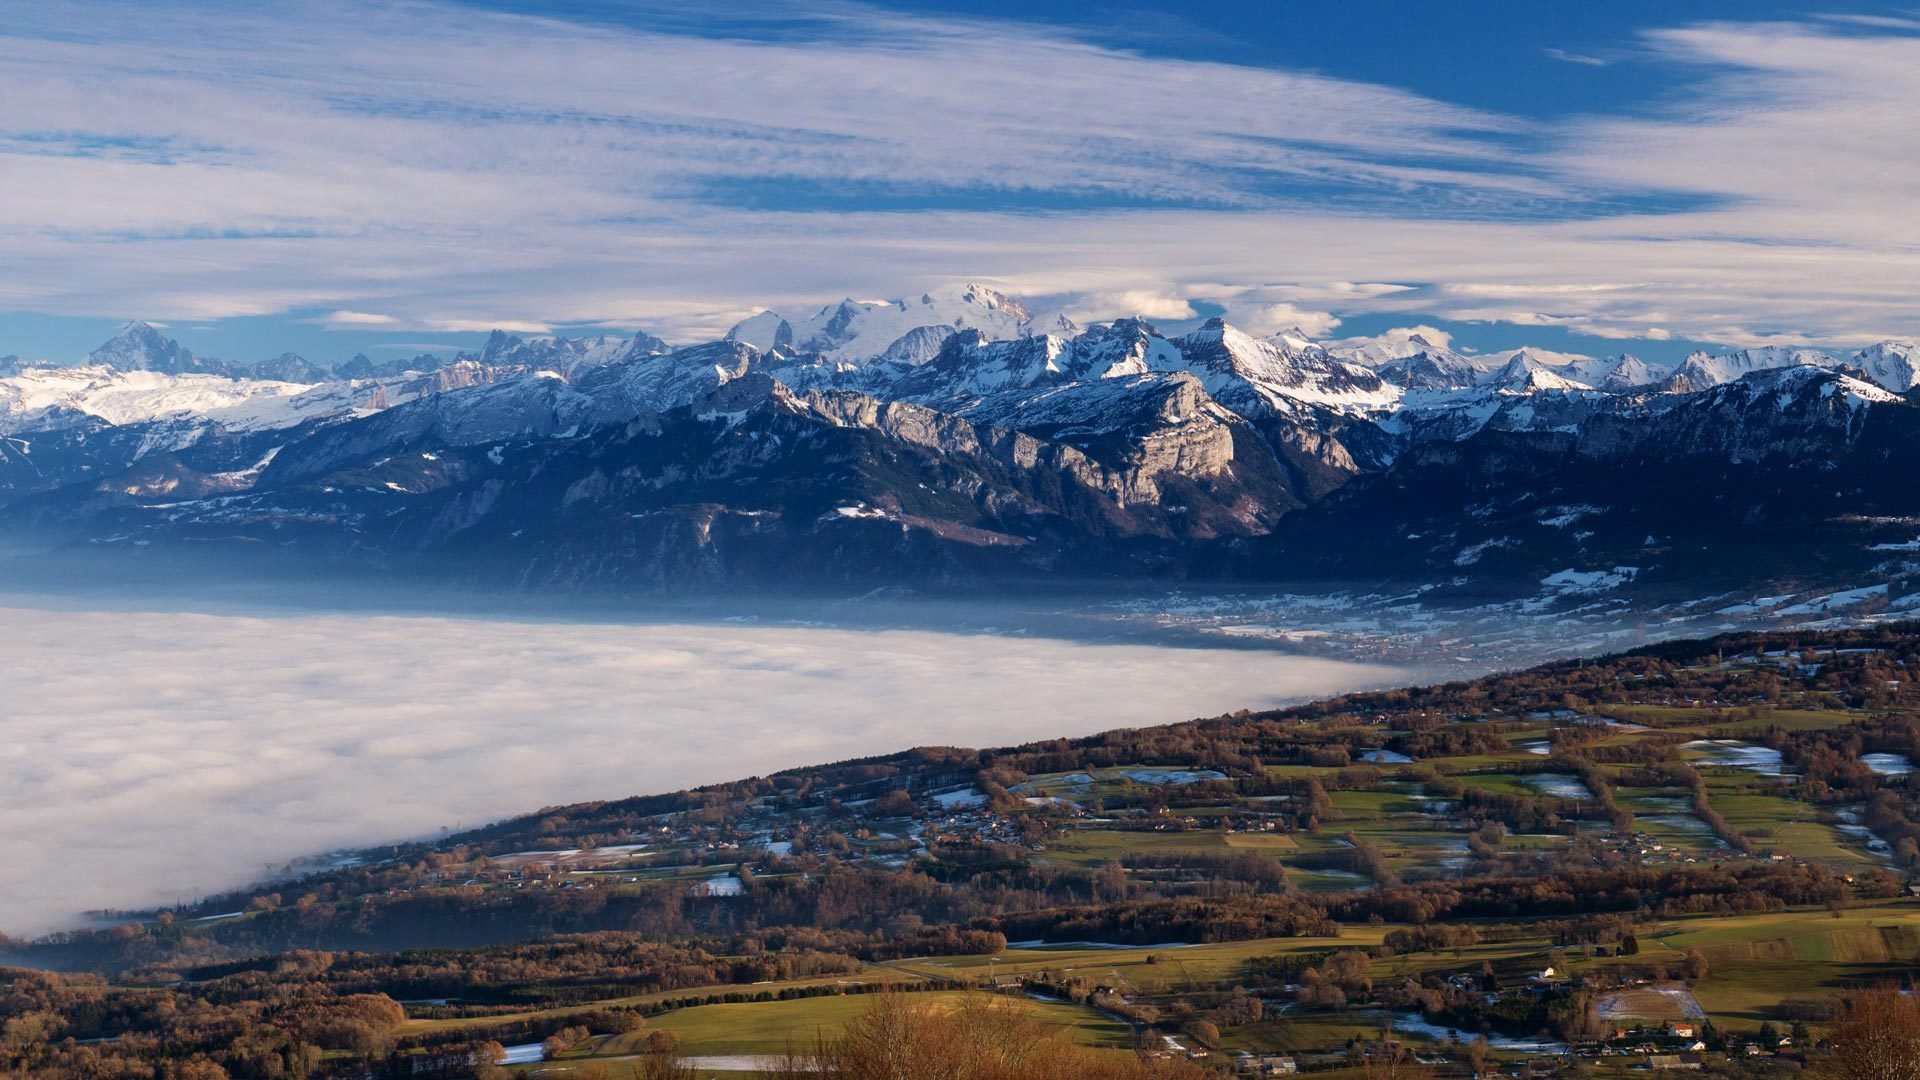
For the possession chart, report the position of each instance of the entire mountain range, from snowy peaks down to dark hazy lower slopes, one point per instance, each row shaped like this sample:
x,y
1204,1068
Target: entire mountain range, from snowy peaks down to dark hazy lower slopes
x,y
963,439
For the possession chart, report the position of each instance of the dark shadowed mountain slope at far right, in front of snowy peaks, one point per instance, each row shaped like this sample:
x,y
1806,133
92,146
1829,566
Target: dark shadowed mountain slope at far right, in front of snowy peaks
x,y
1781,476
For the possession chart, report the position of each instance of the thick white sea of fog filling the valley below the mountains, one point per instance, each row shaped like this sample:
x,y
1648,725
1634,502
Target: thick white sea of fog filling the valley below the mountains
x,y
156,756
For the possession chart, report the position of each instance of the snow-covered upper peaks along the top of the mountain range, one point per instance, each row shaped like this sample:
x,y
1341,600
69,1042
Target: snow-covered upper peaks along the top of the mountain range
x,y
969,351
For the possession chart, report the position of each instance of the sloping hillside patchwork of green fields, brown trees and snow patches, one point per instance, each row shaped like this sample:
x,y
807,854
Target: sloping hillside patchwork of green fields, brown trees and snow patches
x,y
1602,866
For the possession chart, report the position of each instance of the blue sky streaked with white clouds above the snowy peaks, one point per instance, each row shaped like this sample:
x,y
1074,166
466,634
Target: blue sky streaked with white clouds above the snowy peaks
x,y
368,178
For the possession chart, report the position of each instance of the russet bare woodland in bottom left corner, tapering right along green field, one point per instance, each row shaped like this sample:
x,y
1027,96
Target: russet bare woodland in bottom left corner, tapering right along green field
x,y
283,1016
